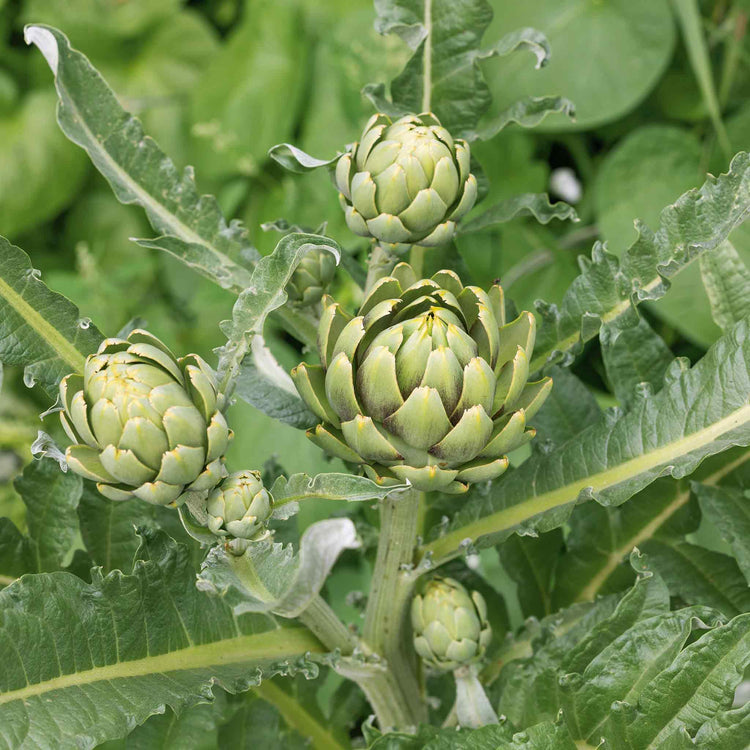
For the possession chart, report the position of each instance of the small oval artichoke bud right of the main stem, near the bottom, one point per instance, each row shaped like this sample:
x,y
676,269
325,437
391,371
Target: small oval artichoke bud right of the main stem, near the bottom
x,y
450,626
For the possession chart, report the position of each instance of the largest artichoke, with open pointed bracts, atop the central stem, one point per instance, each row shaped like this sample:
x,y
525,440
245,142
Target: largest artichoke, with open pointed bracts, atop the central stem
x,y
427,384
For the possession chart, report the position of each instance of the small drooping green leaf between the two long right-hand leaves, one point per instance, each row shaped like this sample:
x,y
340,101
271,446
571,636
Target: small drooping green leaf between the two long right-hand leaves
x,y
569,409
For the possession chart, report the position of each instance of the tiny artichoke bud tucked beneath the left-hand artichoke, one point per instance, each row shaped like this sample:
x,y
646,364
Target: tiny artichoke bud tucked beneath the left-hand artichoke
x,y
240,507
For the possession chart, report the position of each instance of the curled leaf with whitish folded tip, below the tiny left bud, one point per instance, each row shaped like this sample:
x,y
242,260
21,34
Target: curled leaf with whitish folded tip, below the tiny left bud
x,y
272,577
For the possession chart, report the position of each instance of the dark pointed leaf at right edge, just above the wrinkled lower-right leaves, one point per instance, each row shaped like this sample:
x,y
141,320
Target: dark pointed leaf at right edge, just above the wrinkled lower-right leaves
x,y
699,575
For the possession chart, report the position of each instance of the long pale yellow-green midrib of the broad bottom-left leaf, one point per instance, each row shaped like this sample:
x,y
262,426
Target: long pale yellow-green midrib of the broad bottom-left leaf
x,y
280,643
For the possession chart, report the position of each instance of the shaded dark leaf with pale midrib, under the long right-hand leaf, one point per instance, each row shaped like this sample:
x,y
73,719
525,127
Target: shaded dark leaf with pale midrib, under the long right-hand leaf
x,y
600,539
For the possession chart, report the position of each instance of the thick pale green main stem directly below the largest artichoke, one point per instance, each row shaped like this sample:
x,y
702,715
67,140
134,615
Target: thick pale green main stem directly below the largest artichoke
x,y
386,630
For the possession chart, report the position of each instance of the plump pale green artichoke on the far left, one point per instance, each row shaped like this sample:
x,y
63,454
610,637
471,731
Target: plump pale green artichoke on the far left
x,y
144,423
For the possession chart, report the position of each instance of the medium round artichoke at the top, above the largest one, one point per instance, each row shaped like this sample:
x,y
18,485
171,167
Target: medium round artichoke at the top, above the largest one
x,y
407,181
